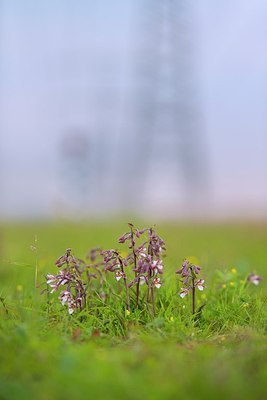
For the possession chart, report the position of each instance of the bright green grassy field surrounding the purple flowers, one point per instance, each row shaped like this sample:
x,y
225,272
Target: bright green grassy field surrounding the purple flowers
x,y
106,353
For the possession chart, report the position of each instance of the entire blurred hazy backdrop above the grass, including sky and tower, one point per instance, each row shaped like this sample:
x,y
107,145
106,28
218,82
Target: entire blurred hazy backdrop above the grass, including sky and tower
x,y
151,107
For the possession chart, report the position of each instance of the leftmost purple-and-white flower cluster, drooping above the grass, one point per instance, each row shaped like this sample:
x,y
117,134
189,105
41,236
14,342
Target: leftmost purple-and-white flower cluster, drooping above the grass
x,y
74,294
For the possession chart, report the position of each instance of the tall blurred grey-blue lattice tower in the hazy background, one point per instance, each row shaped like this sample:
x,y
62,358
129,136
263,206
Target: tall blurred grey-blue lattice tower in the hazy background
x,y
166,139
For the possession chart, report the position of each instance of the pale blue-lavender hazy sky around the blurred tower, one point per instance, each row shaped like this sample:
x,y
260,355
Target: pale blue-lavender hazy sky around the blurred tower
x,y
66,63
